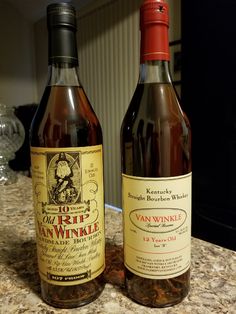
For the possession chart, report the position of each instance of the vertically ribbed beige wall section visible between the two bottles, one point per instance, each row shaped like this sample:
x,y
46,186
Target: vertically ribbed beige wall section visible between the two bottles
x,y
109,55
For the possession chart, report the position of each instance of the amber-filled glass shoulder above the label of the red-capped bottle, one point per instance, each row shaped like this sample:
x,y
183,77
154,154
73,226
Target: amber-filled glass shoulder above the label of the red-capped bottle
x,y
155,134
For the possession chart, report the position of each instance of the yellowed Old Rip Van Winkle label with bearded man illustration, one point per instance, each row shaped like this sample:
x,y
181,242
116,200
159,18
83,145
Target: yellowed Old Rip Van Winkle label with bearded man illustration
x,y
69,213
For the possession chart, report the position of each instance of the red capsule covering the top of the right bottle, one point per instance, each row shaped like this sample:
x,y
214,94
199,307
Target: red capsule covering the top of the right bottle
x,y
154,23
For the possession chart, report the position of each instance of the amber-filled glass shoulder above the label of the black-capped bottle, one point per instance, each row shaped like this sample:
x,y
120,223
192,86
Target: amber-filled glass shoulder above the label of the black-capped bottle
x,y
65,117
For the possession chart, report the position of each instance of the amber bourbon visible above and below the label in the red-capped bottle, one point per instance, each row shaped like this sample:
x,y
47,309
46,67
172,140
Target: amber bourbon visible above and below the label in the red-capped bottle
x,y
156,142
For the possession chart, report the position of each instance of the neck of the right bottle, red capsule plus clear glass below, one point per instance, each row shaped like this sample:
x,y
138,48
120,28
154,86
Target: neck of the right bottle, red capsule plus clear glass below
x,y
154,49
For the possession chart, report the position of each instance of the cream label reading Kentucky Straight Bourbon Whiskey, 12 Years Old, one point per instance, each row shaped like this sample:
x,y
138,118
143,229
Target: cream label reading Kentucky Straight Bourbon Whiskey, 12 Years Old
x,y
157,225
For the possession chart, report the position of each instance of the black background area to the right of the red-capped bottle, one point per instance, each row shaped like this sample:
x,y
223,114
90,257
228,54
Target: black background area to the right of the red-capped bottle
x,y
209,98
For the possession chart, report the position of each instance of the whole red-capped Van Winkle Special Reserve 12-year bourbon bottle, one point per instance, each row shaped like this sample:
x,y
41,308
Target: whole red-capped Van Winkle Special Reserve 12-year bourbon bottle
x,y
156,174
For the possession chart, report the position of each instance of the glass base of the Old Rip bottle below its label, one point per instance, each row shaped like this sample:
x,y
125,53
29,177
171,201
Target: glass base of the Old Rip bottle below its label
x,y
68,297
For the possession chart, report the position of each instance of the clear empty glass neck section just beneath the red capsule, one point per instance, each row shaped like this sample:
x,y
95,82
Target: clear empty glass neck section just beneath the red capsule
x,y
154,71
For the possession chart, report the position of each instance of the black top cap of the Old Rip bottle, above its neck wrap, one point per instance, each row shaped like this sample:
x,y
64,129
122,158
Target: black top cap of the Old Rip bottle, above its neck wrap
x,y
61,14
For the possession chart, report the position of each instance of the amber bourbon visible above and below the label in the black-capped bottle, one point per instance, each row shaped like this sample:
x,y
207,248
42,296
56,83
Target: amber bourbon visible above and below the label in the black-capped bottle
x,y
65,118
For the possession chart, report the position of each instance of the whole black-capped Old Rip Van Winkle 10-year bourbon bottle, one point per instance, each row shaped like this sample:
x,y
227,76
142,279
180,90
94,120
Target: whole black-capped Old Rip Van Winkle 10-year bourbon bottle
x,y
67,173
